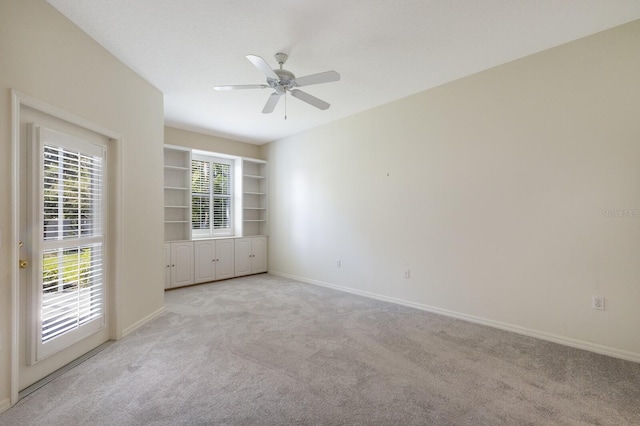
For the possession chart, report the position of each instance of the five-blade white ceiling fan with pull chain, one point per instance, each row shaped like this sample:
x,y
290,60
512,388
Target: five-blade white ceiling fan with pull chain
x,y
283,81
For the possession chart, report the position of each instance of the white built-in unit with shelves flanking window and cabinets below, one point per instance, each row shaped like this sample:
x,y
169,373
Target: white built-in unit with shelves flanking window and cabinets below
x,y
189,261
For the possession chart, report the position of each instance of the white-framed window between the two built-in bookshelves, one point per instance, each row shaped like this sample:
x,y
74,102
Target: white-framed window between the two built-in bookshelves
x,y
211,196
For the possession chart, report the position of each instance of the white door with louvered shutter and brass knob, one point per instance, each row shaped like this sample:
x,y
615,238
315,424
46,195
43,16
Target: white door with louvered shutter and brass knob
x,y
63,297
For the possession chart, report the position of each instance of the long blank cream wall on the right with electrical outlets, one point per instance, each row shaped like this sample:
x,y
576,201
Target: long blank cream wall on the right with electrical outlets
x,y
491,189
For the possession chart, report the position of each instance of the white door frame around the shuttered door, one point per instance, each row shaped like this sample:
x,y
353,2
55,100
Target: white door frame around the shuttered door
x,y
19,100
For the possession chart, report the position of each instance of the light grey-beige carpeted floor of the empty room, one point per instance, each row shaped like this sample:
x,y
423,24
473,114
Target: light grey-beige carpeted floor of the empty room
x,y
264,350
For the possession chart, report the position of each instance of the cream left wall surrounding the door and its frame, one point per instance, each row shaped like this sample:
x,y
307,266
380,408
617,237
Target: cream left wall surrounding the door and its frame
x,y
45,56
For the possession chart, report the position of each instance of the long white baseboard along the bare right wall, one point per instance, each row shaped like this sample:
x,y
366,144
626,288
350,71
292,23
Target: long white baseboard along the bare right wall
x,y
563,340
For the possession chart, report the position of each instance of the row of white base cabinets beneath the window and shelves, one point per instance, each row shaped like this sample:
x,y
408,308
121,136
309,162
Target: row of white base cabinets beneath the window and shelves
x,y
199,261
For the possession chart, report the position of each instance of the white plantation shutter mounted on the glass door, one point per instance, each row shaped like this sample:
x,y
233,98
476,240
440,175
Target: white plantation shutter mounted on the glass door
x,y
71,284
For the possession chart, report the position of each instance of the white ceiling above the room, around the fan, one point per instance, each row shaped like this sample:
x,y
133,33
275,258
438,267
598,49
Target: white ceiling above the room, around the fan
x,y
383,49
